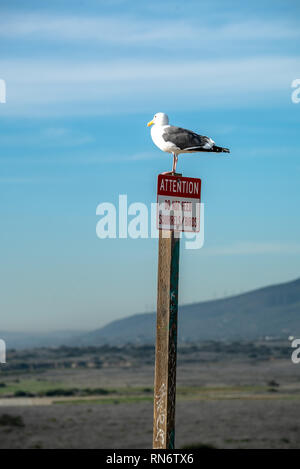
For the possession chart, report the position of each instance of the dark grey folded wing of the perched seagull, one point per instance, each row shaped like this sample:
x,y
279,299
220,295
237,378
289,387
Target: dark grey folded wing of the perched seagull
x,y
185,139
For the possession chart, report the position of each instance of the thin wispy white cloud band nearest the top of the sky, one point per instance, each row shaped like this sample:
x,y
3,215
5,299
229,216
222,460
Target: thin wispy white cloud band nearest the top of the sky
x,y
136,30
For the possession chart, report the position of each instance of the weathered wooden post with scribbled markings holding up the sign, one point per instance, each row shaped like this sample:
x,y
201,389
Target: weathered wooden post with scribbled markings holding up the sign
x,y
166,341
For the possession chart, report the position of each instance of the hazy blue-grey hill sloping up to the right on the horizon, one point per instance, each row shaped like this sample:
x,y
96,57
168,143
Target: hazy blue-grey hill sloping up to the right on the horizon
x,y
271,311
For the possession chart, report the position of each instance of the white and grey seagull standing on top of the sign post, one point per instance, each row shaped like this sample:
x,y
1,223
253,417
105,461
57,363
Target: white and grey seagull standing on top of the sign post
x,y
176,140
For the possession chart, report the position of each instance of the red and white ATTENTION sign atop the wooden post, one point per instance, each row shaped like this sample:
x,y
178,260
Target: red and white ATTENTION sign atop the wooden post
x,y
178,201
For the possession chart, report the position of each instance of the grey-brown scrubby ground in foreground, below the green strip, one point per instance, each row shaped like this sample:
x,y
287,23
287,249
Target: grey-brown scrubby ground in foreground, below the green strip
x,y
224,424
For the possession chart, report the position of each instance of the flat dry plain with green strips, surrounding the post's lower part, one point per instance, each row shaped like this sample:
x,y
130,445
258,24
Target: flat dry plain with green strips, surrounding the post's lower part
x,y
226,404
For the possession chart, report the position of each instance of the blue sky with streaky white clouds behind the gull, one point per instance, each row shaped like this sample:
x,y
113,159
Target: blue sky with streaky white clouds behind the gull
x,y
83,78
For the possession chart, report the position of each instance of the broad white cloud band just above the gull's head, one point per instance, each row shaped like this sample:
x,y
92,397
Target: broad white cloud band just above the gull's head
x,y
47,87
